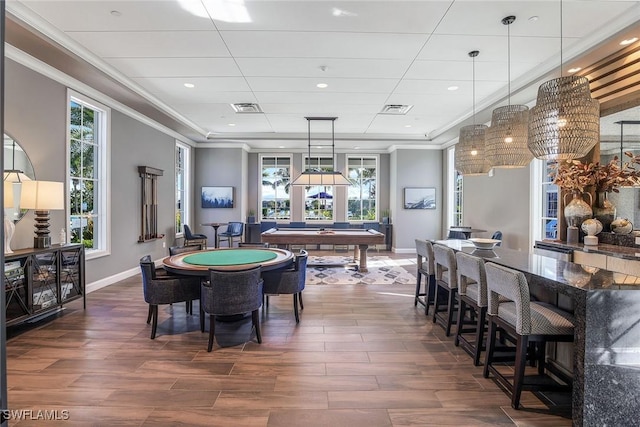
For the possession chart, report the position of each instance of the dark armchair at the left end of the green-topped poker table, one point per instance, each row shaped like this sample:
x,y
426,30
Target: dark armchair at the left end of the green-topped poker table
x,y
165,290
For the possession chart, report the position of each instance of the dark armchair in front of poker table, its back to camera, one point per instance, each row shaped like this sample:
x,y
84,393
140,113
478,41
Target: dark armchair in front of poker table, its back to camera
x,y
229,293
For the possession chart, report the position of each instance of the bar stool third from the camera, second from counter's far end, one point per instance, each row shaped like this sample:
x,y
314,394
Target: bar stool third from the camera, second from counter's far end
x,y
447,281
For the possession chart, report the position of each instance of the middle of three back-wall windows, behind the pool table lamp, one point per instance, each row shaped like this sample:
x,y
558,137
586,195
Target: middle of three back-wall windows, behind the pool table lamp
x,y
318,200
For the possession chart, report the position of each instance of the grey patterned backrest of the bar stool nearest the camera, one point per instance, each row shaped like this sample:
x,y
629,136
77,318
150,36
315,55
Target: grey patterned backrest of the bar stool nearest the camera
x,y
512,285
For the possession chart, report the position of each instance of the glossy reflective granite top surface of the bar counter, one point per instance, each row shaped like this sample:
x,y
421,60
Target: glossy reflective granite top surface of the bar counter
x,y
566,277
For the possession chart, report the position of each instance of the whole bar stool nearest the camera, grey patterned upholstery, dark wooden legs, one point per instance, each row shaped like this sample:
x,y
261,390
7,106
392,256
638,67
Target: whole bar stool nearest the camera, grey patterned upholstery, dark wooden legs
x,y
526,322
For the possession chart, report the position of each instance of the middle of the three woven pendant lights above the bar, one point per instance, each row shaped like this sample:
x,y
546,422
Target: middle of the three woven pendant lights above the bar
x,y
508,134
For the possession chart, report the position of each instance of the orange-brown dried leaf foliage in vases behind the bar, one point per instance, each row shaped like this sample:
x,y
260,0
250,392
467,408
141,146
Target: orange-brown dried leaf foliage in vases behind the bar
x,y
574,175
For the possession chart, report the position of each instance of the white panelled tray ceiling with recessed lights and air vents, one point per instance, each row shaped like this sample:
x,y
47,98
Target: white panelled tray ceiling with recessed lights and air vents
x,y
369,53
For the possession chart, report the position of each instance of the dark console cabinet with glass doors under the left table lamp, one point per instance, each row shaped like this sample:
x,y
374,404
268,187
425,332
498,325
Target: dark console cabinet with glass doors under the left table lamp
x,y
38,282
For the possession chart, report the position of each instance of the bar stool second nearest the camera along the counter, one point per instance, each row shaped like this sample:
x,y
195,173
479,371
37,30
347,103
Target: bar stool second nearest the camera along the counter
x,y
472,294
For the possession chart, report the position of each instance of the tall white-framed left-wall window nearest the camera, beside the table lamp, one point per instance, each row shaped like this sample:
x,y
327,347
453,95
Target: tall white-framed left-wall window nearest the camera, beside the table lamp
x,y
87,173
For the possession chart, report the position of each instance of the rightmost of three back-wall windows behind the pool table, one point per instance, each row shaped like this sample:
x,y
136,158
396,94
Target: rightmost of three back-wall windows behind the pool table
x,y
361,199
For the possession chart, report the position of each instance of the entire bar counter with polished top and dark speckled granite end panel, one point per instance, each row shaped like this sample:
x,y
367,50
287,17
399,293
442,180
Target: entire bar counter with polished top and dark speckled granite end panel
x,y
606,348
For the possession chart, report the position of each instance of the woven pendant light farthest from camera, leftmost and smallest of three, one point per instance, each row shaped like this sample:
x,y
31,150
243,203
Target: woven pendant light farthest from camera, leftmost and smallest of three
x,y
470,156
